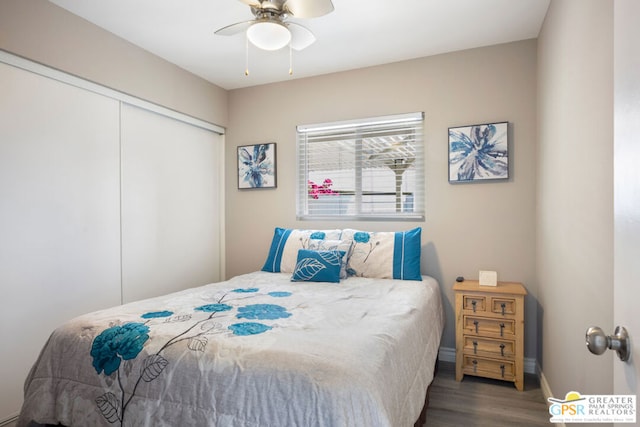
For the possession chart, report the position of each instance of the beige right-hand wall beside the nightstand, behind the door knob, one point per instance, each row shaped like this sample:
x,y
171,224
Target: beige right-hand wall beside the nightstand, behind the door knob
x,y
575,192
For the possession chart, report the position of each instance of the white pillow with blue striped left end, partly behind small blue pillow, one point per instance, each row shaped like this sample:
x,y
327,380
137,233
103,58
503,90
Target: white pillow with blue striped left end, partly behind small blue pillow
x,y
286,242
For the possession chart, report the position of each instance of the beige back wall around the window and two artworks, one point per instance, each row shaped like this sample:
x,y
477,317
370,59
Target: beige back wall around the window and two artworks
x,y
468,226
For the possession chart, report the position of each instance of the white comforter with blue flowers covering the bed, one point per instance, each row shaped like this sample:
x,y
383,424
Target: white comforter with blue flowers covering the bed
x,y
257,350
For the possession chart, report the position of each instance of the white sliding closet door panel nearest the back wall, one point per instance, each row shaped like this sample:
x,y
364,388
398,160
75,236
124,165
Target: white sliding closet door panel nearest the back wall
x,y
170,204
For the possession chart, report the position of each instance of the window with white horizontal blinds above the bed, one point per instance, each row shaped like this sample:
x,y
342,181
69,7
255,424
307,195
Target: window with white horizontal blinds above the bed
x,y
362,169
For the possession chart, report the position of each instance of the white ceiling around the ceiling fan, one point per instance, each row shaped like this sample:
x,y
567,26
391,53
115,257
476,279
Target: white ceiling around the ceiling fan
x,y
358,33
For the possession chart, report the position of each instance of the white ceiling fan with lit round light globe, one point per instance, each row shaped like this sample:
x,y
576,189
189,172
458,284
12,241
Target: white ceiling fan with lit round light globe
x,y
270,30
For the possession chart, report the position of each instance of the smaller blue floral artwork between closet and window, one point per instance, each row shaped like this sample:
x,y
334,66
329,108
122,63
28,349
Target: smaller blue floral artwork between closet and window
x,y
257,166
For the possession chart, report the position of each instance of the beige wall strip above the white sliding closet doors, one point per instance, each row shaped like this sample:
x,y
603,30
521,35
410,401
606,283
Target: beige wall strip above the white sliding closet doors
x,y
43,32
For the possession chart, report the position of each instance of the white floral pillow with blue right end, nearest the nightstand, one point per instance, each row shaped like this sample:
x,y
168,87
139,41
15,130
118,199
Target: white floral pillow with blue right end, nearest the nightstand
x,y
384,255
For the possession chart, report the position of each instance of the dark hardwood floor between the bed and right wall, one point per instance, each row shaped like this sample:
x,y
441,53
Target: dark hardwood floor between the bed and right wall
x,y
479,401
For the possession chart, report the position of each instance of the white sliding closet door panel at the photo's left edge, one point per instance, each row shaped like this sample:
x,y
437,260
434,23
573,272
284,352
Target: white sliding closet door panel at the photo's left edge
x,y
59,215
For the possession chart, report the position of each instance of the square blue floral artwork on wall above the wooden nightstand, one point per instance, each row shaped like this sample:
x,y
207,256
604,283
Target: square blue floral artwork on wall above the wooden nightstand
x,y
479,152
